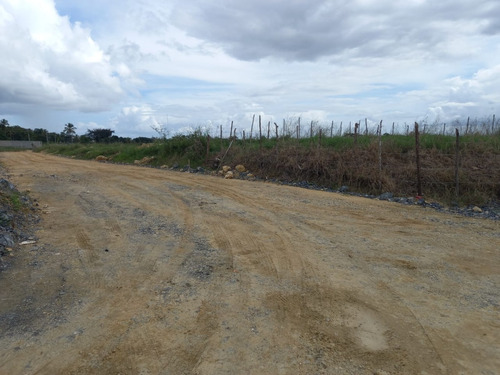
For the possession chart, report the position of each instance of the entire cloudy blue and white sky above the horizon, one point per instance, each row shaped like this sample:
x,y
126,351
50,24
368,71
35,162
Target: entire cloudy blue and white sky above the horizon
x,y
136,65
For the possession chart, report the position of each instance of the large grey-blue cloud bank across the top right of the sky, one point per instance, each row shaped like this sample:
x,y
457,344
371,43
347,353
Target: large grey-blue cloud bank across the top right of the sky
x,y
307,31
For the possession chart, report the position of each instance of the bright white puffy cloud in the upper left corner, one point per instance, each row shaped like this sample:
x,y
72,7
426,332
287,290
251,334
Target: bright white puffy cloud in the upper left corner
x,y
48,61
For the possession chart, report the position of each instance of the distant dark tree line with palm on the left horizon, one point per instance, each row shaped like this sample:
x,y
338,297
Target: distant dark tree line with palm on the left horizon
x,y
67,135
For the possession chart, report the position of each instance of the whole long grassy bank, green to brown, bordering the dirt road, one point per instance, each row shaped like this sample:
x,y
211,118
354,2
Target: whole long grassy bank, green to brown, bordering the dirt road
x,y
369,163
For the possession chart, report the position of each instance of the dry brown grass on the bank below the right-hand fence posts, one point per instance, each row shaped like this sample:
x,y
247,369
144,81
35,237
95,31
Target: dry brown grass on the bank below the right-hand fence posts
x,y
358,167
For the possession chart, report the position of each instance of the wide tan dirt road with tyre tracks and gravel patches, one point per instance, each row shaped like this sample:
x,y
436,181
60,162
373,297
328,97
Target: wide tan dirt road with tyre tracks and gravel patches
x,y
144,271
